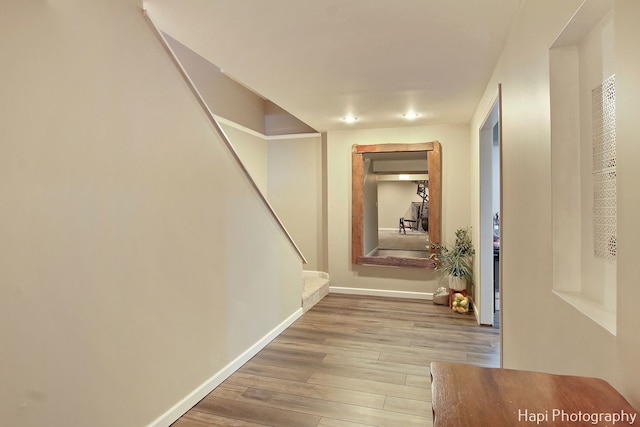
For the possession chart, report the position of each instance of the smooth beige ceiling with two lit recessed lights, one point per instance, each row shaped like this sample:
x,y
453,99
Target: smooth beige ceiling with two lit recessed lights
x,y
322,60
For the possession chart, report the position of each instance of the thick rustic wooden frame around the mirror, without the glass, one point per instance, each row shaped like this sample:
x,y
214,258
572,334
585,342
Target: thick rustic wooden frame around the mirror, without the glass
x,y
364,220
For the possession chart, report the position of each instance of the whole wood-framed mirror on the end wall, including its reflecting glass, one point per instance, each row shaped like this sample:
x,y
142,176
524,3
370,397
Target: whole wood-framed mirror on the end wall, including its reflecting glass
x,y
396,203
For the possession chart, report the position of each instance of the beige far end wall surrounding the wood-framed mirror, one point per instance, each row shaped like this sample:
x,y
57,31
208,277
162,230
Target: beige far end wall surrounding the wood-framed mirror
x,y
455,202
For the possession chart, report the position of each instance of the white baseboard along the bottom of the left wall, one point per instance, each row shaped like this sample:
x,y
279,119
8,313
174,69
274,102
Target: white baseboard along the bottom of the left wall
x,y
180,408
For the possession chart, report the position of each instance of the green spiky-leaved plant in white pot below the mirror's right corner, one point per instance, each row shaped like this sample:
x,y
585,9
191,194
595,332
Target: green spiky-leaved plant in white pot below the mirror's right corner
x,y
456,263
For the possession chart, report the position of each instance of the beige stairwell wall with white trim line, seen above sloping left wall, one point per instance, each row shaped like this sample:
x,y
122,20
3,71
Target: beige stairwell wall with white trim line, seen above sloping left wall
x,y
287,168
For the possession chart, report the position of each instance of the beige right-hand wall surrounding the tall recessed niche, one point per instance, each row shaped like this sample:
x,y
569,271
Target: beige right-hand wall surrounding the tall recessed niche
x,y
540,331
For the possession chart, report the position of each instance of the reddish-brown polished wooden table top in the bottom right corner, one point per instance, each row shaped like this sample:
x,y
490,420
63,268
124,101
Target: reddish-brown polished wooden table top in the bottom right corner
x,y
466,395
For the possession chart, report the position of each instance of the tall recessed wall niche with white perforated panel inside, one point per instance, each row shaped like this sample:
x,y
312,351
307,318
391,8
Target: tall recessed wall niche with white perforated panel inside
x,y
583,174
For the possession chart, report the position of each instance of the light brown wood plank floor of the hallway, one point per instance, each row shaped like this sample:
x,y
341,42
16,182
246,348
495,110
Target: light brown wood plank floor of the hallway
x,y
350,361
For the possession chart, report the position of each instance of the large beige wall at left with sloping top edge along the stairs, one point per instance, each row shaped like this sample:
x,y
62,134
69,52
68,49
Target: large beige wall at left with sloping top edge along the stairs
x,y
123,287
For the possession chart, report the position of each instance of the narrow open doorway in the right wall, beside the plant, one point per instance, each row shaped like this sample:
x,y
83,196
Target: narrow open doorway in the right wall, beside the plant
x,y
490,154
